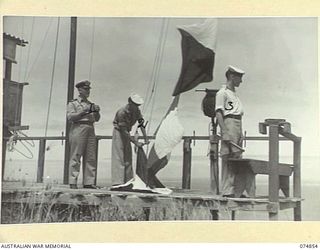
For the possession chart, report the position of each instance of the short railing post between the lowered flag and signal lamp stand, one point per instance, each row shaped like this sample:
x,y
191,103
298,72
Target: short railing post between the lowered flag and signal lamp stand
x,y
186,173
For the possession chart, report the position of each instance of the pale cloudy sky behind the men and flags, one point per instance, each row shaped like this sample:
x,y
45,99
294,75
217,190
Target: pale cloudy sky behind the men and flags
x,y
279,56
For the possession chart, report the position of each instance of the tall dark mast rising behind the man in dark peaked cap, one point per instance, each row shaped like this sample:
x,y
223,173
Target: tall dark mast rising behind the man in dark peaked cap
x,y
71,80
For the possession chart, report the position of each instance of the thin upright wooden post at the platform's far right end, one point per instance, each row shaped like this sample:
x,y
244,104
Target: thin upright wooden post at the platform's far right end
x,y
297,178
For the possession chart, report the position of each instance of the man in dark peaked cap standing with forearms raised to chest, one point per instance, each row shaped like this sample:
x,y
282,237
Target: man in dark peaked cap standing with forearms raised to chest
x,y
82,114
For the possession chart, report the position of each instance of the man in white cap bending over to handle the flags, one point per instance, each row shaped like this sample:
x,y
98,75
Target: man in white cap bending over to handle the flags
x,y
121,160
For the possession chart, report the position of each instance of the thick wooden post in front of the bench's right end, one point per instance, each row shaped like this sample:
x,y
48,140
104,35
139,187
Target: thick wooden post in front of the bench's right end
x,y
274,168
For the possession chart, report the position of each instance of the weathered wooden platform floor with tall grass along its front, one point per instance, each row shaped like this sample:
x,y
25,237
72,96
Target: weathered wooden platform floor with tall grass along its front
x,y
57,203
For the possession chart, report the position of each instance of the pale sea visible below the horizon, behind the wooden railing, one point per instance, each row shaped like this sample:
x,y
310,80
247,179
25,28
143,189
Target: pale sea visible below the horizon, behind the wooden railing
x,y
26,170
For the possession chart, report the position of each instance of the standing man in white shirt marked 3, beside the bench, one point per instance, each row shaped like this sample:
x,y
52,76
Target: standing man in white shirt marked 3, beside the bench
x,y
229,112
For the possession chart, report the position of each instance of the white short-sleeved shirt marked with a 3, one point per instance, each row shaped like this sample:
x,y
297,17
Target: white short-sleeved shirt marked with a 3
x,y
228,101
